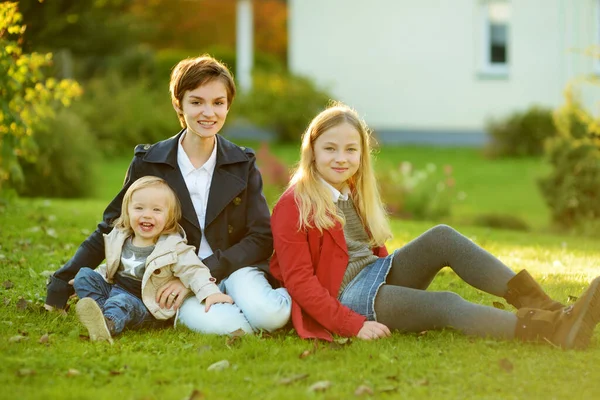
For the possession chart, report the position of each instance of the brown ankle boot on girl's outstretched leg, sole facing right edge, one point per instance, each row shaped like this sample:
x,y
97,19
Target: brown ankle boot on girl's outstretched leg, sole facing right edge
x,y
570,328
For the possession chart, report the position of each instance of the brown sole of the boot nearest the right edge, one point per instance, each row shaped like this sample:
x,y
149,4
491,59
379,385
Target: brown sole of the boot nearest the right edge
x,y
583,328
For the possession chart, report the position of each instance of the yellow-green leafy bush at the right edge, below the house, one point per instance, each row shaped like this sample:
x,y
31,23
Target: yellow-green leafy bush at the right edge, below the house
x,y
572,189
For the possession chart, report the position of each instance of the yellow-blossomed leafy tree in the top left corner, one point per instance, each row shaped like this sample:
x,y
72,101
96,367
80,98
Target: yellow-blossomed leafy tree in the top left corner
x,y
27,97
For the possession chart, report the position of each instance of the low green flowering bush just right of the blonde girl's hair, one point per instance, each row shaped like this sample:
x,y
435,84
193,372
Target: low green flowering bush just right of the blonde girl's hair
x,y
425,194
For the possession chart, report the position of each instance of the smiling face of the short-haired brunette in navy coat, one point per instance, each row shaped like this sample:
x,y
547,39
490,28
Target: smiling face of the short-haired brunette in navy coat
x,y
205,108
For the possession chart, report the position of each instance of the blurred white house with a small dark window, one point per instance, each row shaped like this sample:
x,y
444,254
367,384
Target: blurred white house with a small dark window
x,y
442,67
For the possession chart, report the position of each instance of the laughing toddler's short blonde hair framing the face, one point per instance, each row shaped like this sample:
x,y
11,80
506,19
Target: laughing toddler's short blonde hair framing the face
x,y
173,212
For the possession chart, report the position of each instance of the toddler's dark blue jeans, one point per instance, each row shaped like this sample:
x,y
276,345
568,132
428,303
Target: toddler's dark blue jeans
x,y
117,304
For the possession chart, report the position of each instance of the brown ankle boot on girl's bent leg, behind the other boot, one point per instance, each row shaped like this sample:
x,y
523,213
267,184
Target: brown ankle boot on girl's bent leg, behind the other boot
x,y
523,291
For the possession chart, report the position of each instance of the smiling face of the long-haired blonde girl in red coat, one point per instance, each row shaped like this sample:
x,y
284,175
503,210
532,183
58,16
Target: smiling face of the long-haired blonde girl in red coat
x,y
337,154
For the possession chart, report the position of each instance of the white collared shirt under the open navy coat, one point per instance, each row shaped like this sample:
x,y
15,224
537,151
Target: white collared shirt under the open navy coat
x,y
198,182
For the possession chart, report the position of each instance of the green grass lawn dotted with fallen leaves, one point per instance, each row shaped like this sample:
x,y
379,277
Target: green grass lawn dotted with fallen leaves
x,y
37,236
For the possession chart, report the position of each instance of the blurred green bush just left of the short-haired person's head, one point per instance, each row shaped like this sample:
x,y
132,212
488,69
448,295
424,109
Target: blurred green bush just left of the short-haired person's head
x,y
124,113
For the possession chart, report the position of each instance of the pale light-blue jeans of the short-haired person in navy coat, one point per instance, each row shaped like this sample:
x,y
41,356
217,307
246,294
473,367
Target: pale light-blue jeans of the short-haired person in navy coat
x,y
256,306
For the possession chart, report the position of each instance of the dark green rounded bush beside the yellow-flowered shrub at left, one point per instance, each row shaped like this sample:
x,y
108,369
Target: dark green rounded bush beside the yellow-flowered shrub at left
x,y
66,162
